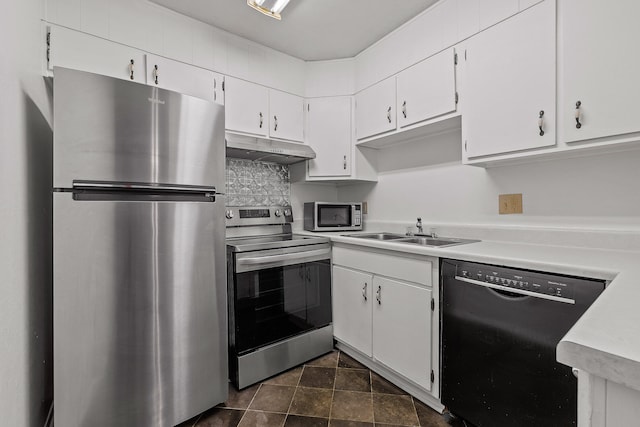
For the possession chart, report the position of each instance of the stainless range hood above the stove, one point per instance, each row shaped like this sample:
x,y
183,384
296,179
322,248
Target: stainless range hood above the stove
x,y
267,150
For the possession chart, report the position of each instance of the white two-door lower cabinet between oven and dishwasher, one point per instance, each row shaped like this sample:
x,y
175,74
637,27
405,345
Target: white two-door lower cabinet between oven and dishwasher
x,y
384,308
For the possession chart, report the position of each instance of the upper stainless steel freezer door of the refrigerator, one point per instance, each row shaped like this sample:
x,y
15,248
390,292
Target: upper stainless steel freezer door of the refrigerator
x,y
107,129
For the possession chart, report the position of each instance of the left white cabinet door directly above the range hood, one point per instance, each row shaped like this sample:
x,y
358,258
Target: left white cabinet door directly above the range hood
x,y
246,107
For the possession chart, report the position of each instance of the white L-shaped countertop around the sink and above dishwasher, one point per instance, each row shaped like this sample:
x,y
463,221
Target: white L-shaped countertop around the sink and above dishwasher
x,y
606,339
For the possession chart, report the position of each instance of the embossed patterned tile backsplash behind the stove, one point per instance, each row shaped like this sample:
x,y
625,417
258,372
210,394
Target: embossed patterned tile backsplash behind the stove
x,y
253,183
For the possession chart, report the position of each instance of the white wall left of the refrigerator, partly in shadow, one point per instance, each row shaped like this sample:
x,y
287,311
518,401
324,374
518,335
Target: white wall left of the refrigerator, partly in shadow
x,y
25,220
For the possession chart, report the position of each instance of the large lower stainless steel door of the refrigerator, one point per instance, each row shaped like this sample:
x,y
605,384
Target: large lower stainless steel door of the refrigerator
x,y
140,311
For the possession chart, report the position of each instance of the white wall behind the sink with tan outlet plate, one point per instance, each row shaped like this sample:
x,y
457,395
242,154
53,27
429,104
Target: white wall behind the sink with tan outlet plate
x,y
427,179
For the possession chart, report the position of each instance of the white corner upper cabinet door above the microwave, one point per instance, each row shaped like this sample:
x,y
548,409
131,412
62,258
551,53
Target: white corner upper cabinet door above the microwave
x,y
329,134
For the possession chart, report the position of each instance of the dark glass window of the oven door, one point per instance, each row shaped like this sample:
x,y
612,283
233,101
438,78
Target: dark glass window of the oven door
x,y
276,303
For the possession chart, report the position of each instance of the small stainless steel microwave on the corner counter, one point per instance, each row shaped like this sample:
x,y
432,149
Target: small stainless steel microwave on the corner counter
x,y
326,216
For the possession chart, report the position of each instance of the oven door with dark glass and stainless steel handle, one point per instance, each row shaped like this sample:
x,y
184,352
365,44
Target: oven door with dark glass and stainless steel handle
x,y
279,293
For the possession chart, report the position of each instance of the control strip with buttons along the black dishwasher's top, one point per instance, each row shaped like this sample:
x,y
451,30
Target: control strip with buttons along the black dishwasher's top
x,y
558,286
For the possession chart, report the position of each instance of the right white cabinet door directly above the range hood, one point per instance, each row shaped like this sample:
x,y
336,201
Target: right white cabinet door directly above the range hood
x,y
286,116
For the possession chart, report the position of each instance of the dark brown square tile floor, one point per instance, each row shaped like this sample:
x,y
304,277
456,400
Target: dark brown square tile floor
x,y
331,391
